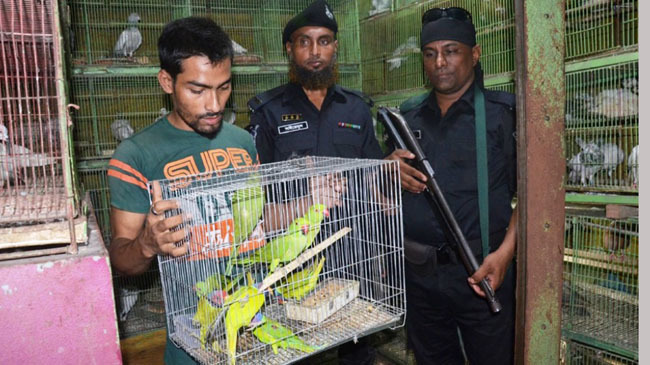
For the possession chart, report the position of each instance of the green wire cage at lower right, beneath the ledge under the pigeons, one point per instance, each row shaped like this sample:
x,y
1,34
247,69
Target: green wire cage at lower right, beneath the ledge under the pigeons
x,y
601,286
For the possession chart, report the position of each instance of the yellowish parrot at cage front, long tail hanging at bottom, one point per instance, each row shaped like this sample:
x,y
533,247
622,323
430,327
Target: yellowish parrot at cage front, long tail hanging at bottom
x,y
242,306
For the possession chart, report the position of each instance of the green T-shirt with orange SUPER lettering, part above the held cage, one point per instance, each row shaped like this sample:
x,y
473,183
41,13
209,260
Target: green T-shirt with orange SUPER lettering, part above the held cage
x,y
162,151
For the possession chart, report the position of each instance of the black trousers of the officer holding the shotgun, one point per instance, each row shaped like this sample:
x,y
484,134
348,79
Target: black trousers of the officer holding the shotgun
x,y
439,301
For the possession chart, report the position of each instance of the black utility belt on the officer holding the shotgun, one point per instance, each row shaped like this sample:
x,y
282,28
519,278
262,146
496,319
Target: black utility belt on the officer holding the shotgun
x,y
443,253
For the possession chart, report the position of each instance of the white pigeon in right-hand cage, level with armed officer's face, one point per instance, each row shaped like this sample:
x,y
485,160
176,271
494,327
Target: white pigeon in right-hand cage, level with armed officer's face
x,y
617,103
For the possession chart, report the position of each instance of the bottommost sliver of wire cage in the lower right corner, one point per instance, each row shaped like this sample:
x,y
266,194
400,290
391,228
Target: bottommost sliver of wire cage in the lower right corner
x,y
576,353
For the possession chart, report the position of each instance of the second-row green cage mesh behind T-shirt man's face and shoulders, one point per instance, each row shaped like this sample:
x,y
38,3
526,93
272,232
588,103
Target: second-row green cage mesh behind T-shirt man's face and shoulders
x,y
114,106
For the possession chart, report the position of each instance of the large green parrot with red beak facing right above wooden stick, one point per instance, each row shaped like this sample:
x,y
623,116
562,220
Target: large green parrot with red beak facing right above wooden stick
x,y
299,235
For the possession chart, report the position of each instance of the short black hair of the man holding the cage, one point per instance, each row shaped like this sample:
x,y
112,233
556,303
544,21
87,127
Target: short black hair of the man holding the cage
x,y
192,36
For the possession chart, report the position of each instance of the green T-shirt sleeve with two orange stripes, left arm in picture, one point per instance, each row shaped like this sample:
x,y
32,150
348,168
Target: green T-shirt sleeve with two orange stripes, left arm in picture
x,y
127,183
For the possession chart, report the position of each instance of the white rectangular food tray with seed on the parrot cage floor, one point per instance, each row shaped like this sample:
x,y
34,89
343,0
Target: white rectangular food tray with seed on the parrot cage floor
x,y
329,296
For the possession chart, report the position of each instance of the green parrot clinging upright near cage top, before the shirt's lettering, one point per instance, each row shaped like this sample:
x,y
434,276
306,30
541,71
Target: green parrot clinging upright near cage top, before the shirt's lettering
x,y
247,206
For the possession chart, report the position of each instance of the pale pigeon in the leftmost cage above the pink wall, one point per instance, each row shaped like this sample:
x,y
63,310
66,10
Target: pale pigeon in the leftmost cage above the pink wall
x,y
14,158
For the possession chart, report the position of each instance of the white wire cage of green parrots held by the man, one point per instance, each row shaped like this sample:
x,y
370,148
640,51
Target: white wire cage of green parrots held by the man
x,y
269,298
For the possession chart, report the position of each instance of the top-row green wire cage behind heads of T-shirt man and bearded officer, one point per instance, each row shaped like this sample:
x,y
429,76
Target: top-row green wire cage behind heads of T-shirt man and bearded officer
x,y
254,25
